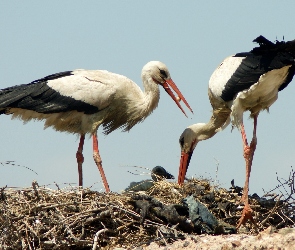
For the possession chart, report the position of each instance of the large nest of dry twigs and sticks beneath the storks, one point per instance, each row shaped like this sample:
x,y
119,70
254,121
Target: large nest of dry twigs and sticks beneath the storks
x,y
74,218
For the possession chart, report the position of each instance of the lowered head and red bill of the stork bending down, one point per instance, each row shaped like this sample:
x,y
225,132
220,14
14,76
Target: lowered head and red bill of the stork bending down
x,y
188,142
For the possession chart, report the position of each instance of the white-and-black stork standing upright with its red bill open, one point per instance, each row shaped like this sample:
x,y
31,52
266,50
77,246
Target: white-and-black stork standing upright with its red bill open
x,y
80,101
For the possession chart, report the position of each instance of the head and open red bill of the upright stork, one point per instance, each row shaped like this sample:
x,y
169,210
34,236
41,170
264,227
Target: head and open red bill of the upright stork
x,y
159,73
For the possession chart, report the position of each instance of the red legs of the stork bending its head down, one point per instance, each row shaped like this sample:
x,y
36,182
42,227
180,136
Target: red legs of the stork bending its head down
x,y
248,155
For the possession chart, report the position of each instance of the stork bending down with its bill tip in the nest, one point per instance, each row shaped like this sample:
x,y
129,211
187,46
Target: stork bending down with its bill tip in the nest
x,y
245,81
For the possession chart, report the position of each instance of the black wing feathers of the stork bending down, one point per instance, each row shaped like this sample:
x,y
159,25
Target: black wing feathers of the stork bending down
x,y
260,60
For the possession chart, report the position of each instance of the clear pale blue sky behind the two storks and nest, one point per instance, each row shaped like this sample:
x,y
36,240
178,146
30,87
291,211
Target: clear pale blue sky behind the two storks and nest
x,y
39,38
